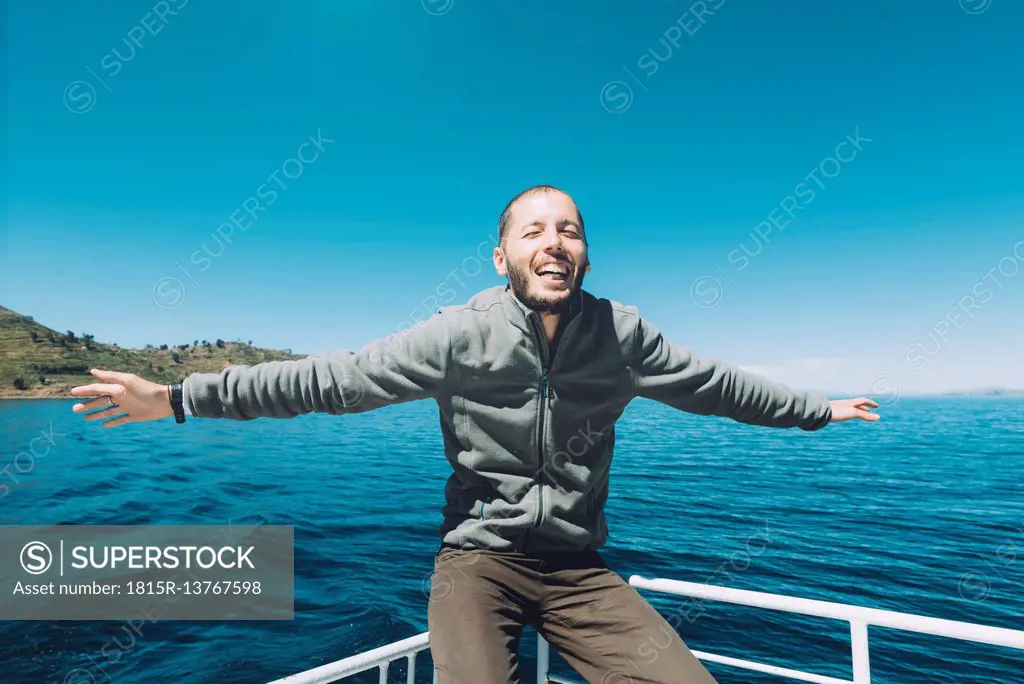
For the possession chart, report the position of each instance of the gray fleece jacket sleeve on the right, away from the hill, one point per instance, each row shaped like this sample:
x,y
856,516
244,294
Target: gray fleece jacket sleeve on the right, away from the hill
x,y
681,379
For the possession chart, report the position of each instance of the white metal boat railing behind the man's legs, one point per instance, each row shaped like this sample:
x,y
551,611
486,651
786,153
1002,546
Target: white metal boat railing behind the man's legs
x,y
859,618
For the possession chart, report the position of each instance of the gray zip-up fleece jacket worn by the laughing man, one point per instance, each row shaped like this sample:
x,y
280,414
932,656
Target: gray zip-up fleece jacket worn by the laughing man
x,y
530,434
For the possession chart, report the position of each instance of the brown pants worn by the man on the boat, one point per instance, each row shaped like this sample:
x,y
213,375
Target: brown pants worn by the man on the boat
x,y
482,601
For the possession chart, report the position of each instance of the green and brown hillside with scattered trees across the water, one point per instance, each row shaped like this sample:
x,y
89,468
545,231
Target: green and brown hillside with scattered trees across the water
x,y
39,362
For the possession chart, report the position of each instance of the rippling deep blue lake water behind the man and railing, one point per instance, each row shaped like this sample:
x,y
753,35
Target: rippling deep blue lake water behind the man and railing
x,y
922,512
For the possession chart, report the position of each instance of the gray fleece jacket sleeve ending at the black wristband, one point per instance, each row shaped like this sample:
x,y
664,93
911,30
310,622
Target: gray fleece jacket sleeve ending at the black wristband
x,y
405,367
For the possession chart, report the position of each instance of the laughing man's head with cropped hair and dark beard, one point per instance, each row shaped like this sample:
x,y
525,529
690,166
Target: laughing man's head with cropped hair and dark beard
x,y
543,251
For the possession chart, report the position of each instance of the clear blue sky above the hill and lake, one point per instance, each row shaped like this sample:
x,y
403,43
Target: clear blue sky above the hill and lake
x,y
137,130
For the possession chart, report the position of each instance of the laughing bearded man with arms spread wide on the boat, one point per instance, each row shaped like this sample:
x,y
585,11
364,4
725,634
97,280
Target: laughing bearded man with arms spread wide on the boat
x,y
530,380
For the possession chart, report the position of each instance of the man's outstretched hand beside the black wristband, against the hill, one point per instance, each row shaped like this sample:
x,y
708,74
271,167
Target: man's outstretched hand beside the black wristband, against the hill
x,y
130,398
